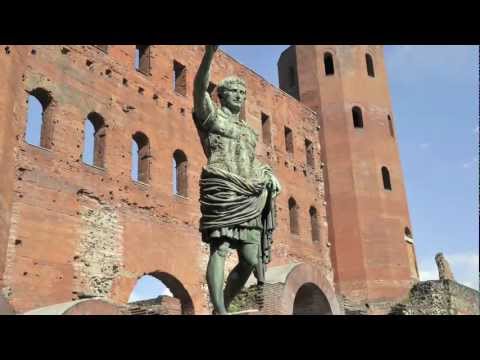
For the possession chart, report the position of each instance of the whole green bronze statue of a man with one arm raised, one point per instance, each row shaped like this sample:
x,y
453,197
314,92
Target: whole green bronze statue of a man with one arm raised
x,y
237,192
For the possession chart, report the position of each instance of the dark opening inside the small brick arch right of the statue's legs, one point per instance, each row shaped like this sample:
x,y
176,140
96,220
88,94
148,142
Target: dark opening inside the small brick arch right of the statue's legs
x,y
310,300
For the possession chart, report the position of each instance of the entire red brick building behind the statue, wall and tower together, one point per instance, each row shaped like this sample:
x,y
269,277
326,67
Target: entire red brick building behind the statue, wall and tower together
x,y
108,189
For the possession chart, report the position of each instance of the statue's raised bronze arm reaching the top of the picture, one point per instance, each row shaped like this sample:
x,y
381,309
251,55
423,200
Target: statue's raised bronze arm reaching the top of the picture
x,y
203,105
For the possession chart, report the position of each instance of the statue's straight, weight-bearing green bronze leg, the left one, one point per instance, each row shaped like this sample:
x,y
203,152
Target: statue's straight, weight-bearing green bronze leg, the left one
x,y
215,275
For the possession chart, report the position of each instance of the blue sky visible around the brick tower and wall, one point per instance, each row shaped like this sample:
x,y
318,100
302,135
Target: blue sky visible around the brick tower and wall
x,y
434,90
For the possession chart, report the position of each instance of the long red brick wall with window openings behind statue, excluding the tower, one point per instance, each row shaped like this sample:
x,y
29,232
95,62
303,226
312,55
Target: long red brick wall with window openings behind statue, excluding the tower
x,y
77,230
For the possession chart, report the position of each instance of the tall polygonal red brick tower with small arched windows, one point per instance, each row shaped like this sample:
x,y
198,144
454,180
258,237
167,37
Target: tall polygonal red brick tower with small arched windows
x,y
369,227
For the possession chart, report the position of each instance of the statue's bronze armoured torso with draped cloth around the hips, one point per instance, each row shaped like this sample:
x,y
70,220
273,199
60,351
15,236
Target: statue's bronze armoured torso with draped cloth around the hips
x,y
234,199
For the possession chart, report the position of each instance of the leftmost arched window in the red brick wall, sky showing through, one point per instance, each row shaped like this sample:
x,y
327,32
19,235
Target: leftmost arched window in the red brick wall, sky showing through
x,y
39,130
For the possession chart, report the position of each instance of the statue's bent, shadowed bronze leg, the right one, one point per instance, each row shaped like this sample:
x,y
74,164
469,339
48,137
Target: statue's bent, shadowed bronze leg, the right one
x,y
248,258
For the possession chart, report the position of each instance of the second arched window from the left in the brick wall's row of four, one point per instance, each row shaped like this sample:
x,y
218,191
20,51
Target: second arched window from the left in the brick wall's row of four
x,y
94,140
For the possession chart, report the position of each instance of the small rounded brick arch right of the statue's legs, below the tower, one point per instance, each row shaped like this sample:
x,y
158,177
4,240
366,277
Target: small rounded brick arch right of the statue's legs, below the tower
x,y
306,285
